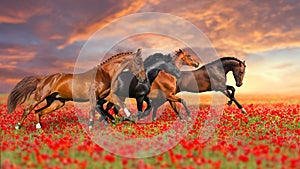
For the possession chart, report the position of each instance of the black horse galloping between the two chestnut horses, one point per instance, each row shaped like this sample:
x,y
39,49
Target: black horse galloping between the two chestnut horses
x,y
129,86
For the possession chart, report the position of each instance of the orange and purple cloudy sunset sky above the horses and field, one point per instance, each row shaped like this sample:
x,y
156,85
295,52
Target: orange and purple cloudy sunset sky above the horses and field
x,y
45,37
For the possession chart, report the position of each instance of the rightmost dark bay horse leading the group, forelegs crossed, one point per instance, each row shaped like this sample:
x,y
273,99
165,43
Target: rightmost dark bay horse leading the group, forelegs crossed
x,y
211,76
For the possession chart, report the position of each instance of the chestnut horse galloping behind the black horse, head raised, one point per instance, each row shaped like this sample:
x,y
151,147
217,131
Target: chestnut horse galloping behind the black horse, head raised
x,y
160,87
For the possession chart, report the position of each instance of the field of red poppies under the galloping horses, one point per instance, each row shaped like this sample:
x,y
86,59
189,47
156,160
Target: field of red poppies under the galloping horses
x,y
267,137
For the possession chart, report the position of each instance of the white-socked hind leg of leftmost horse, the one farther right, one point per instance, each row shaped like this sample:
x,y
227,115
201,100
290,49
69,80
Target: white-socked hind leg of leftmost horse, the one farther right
x,y
53,105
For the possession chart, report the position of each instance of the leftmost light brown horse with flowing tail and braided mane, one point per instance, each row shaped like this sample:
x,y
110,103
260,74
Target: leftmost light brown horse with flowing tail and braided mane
x,y
58,88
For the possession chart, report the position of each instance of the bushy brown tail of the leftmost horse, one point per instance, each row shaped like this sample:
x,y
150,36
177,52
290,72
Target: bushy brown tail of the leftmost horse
x,y
21,92
